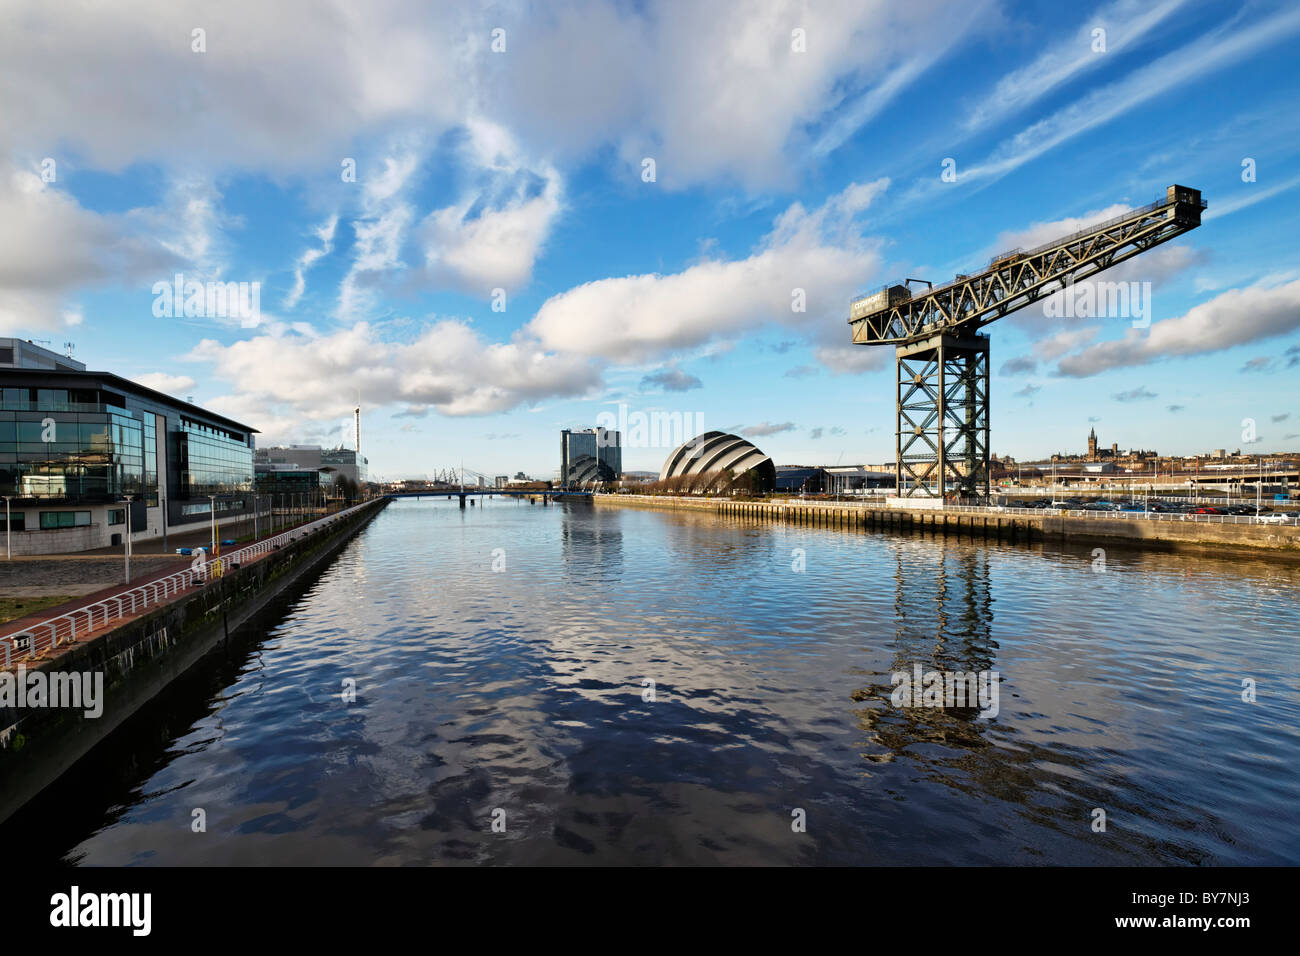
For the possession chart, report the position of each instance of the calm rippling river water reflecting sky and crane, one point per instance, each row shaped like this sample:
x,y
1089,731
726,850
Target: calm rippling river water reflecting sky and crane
x,y
521,697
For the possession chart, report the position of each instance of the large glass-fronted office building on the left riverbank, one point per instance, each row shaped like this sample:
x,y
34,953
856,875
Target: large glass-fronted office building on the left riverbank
x,y
75,445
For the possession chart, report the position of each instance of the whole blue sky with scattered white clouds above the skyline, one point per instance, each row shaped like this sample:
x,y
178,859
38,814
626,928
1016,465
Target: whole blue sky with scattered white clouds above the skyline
x,y
795,146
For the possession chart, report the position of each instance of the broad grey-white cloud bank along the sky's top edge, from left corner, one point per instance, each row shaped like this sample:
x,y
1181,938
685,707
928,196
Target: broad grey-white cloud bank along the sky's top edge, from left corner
x,y
297,85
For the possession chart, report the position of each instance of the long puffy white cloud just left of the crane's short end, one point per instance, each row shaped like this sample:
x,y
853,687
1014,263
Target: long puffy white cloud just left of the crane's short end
x,y
639,319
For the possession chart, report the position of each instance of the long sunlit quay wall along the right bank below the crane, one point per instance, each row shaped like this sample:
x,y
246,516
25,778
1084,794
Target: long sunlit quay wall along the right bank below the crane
x,y
1281,542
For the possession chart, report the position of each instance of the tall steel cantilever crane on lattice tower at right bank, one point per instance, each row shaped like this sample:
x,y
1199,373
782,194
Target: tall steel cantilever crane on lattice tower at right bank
x,y
942,357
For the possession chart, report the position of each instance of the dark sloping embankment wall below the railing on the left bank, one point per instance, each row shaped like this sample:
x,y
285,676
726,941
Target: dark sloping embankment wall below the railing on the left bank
x,y
145,655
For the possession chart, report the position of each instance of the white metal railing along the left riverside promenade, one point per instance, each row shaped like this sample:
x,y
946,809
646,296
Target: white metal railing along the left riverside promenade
x,y
38,639
